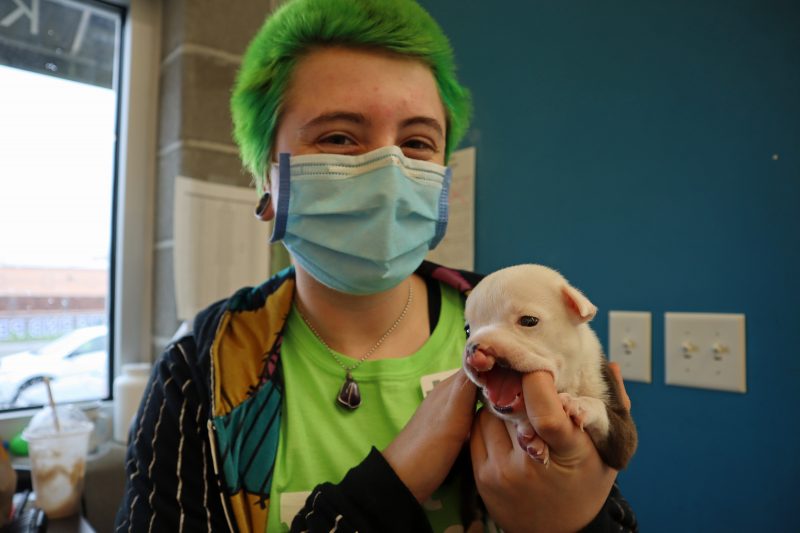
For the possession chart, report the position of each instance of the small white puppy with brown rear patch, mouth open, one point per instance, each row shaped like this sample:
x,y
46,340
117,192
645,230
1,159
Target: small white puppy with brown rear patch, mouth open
x,y
527,318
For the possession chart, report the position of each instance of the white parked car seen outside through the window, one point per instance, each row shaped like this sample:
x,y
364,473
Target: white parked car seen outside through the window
x,y
76,363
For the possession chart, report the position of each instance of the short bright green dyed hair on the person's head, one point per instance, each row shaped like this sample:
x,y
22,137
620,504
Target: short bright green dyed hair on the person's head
x,y
399,26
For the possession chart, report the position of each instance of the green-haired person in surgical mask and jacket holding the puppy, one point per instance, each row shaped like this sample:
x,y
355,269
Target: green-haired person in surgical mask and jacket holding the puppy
x,y
331,397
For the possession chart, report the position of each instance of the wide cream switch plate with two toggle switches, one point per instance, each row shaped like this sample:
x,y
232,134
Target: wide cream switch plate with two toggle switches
x,y
705,350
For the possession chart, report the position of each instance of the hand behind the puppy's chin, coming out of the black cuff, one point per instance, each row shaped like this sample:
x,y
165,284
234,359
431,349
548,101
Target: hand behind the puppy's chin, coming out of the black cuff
x,y
423,453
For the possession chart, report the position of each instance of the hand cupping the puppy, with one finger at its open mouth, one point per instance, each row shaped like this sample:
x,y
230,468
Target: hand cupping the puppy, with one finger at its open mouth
x,y
524,495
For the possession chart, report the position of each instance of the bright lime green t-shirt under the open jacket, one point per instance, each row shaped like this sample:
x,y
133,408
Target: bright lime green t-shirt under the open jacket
x,y
320,441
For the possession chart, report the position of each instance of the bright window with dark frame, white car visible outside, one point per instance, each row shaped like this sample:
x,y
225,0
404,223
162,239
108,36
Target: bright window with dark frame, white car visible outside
x,y
59,80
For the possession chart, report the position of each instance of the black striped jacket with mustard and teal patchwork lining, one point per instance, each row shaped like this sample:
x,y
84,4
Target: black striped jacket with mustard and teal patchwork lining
x,y
204,442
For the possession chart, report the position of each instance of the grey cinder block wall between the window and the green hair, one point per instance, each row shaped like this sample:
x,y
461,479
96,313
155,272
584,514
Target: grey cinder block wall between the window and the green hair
x,y
202,45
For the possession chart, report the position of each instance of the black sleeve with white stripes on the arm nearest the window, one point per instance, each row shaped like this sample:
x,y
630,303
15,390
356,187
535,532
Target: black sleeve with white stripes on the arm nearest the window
x,y
170,483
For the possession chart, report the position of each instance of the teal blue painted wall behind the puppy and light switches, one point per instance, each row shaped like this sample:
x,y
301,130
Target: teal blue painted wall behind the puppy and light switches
x,y
630,144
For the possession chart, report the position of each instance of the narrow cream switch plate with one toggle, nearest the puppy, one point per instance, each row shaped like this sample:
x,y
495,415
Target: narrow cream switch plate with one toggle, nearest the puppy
x,y
630,343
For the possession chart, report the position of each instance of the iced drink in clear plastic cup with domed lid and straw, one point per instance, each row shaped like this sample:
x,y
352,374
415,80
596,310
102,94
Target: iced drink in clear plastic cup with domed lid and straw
x,y
58,459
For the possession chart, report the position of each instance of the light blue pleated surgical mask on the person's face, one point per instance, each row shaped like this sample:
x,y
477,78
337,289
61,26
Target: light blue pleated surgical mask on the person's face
x,y
360,224
